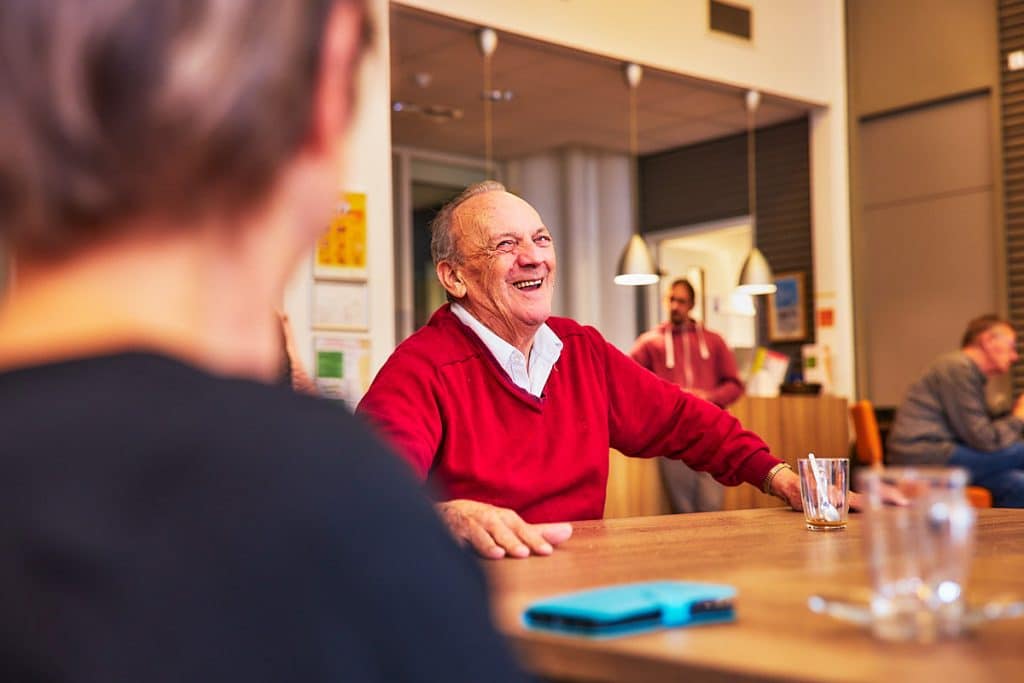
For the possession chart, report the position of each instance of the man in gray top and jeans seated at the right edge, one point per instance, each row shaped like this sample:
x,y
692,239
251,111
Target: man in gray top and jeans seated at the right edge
x,y
946,420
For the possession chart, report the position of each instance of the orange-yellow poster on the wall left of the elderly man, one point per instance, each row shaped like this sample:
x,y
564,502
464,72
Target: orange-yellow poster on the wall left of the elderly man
x,y
342,251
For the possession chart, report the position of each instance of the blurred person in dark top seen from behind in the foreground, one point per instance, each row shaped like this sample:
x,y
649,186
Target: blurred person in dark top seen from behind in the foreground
x,y
169,515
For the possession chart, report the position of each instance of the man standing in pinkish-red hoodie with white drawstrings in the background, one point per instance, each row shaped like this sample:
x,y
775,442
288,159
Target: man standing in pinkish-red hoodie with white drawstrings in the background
x,y
697,360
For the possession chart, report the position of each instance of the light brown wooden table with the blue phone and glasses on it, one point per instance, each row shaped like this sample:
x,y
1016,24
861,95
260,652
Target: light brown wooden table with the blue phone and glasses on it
x,y
776,565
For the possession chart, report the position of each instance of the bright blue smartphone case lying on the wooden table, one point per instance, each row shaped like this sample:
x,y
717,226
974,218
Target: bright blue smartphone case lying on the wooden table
x,y
633,608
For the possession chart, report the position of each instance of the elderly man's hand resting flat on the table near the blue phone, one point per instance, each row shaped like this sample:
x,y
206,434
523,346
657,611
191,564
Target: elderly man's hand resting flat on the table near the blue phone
x,y
495,533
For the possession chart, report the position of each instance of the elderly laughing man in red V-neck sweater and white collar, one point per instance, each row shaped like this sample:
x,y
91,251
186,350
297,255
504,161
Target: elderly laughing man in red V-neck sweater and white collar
x,y
509,412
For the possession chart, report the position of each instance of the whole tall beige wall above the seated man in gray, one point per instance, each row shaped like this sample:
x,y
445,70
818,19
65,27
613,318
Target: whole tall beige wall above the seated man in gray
x,y
925,187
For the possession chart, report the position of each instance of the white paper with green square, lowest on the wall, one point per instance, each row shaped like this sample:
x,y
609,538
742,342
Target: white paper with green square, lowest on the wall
x,y
342,367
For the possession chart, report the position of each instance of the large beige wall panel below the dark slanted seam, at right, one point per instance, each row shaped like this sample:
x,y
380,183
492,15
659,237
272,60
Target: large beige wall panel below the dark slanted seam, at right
x,y
928,214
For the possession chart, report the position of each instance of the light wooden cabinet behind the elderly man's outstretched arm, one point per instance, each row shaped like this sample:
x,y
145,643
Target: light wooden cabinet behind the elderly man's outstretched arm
x,y
791,425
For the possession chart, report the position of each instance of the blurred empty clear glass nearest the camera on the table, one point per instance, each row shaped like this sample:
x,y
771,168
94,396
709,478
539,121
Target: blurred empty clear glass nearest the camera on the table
x,y
919,557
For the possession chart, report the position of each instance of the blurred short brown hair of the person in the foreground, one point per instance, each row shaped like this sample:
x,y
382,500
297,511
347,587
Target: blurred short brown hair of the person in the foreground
x,y
116,110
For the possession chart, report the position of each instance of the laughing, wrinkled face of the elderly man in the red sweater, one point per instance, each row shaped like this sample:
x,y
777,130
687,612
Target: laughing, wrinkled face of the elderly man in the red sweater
x,y
508,265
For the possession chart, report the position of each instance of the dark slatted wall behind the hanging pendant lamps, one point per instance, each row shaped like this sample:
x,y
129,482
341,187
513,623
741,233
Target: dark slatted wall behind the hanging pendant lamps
x,y
708,182
